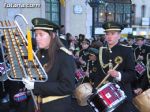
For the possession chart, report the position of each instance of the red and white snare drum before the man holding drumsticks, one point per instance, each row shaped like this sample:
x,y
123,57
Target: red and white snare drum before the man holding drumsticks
x,y
107,98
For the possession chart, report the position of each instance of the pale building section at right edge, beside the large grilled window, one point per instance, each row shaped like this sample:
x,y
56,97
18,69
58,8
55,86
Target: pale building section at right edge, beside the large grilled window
x,y
141,17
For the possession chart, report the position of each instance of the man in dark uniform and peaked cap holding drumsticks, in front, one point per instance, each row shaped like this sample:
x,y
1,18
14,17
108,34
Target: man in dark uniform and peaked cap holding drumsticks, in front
x,y
121,55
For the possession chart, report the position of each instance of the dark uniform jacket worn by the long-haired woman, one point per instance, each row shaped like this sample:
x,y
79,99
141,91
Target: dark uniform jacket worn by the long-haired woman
x,y
60,82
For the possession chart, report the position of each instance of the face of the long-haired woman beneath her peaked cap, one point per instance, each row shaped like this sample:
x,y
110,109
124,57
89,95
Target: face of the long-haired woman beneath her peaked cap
x,y
43,39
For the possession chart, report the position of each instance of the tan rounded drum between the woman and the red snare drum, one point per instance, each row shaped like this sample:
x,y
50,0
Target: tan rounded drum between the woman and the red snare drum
x,y
82,93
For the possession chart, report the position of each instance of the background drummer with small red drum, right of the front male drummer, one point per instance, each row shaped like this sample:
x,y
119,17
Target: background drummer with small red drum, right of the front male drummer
x,y
140,53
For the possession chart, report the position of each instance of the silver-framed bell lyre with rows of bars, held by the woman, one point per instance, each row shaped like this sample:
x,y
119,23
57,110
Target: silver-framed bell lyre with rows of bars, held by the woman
x,y
21,67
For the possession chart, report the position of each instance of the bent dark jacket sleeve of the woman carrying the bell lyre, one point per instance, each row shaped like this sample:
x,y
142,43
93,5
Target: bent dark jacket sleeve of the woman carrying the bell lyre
x,y
61,78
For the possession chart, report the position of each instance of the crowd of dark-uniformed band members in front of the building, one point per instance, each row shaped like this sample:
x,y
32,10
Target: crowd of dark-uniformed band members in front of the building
x,y
71,61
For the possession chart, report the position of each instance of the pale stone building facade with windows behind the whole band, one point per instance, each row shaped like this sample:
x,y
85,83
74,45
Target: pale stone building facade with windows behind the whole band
x,y
76,15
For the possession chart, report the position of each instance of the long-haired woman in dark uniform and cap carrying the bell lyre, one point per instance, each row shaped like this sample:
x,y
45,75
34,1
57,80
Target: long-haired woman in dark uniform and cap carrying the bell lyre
x,y
59,65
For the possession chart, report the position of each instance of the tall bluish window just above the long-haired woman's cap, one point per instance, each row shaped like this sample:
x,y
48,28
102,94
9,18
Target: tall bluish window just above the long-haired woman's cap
x,y
52,10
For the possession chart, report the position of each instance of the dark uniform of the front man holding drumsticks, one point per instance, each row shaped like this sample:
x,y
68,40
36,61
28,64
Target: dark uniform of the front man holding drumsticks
x,y
126,68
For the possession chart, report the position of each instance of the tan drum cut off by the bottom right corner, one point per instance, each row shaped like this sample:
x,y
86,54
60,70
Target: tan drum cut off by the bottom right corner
x,y
142,101
